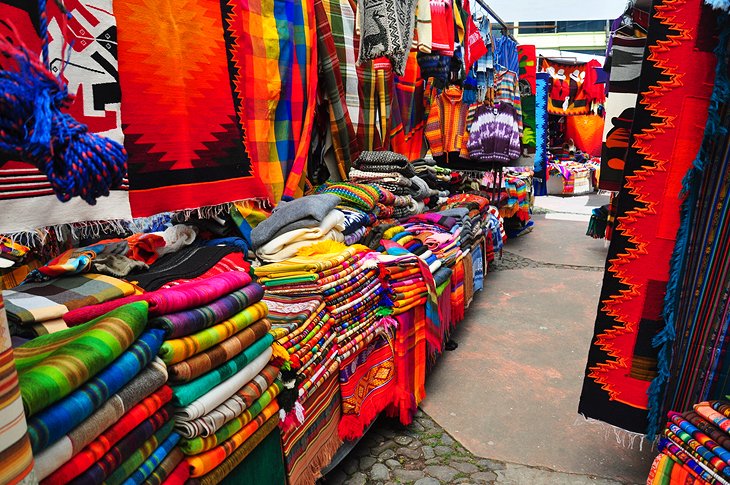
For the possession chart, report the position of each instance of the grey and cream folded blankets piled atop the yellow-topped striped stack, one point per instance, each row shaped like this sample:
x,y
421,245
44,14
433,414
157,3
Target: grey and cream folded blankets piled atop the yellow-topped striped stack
x,y
296,224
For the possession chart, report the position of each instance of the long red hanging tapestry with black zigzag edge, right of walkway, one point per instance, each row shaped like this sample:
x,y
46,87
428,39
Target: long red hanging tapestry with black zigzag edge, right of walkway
x,y
676,86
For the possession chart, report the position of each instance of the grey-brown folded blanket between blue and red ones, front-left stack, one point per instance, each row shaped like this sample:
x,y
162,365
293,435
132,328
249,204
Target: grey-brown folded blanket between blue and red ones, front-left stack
x,y
146,383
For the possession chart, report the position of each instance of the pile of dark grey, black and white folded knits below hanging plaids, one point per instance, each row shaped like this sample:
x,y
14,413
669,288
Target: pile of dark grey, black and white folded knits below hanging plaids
x,y
392,172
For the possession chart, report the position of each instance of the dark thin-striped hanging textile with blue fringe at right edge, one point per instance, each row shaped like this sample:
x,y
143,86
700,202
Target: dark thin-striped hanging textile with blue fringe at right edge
x,y
695,342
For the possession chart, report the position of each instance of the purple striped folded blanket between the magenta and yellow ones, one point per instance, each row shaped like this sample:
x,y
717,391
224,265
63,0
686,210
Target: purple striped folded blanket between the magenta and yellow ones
x,y
190,321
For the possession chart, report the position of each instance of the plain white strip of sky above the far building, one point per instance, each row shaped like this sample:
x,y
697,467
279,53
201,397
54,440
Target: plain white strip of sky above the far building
x,y
536,10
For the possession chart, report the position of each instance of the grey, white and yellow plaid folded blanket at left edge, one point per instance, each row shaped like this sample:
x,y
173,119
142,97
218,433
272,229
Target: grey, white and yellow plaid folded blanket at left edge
x,y
37,302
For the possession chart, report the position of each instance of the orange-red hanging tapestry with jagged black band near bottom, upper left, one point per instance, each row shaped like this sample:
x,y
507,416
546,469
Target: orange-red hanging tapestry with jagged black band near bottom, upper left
x,y
185,146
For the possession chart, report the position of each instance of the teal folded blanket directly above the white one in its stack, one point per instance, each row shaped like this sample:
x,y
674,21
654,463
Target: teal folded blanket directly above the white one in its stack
x,y
184,394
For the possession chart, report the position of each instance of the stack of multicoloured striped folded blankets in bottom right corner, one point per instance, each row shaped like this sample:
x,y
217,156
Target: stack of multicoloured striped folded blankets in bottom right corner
x,y
694,447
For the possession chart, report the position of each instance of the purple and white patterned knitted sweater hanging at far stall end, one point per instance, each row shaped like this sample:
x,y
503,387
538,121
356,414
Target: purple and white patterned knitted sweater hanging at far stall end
x,y
495,134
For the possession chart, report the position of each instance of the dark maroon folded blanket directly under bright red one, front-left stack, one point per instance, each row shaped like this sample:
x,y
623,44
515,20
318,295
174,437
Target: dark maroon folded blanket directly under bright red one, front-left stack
x,y
126,447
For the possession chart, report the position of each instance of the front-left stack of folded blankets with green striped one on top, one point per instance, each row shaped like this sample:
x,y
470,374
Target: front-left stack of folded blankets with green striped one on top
x,y
96,399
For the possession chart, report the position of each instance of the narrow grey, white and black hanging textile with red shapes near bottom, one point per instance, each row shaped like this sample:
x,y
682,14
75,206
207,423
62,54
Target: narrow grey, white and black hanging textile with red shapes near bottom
x,y
625,70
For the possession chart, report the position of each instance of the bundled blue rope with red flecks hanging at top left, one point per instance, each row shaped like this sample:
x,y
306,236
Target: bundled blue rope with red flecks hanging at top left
x,y
33,128
